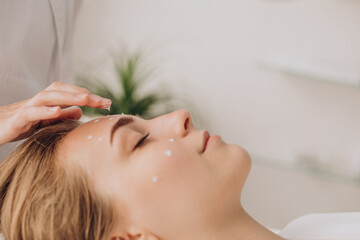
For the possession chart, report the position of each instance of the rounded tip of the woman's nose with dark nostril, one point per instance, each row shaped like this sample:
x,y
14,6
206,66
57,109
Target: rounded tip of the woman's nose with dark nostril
x,y
182,122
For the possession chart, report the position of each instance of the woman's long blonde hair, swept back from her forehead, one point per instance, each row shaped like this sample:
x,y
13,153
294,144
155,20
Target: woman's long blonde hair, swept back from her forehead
x,y
41,199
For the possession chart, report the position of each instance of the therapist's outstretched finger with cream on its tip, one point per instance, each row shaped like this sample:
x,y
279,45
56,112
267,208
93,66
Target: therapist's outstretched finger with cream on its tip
x,y
66,99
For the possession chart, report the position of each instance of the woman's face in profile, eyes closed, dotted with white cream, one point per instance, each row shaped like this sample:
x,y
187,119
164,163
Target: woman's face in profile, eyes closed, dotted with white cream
x,y
165,183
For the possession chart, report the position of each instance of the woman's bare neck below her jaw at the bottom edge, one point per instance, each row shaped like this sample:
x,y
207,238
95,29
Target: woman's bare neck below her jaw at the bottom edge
x,y
240,226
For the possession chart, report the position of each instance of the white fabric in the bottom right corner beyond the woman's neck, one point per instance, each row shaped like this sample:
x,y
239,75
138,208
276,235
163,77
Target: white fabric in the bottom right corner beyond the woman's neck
x,y
324,226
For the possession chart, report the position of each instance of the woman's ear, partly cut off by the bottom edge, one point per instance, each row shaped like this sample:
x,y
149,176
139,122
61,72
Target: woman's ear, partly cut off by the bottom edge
x,y
134,233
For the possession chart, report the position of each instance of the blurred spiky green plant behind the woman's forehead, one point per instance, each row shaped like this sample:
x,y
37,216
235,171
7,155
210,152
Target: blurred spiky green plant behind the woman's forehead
x,y
128,101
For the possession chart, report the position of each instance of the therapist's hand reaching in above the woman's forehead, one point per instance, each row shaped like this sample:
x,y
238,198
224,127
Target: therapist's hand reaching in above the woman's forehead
x,y
21,119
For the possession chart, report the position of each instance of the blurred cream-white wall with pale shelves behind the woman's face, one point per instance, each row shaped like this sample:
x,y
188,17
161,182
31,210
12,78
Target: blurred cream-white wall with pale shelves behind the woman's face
x,y
280,78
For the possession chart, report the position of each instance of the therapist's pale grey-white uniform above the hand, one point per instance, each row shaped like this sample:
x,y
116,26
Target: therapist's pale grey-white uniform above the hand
x,y
35,47
